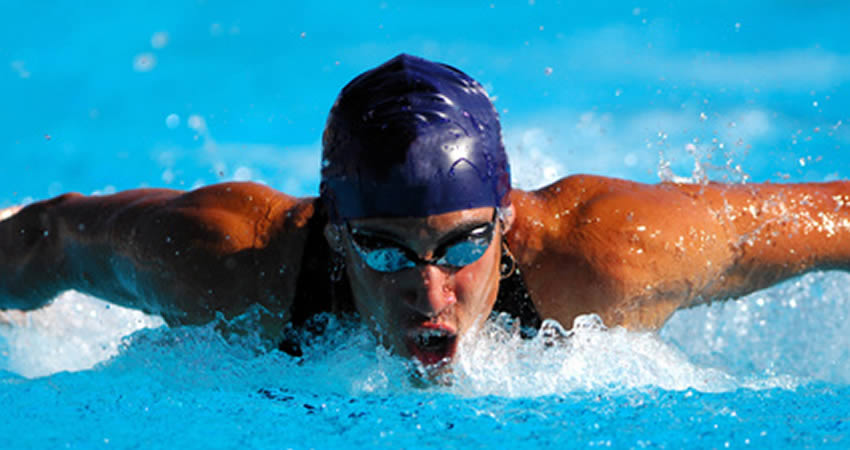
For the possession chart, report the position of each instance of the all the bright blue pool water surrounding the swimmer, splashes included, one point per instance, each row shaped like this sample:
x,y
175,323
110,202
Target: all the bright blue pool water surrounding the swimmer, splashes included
x,y
107,96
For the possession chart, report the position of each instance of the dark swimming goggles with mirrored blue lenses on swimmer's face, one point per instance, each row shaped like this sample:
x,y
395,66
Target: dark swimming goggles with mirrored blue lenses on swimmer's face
x,y
385,255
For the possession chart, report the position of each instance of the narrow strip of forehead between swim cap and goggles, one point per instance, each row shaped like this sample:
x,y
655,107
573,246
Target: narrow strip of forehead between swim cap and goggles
x,y
429,226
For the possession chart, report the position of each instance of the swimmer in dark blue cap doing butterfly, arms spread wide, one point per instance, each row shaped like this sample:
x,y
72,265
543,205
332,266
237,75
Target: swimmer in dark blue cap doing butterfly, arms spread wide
x,y
417,230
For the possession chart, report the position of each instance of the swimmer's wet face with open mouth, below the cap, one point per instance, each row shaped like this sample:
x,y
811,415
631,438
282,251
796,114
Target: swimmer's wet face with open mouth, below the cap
x,y
421,311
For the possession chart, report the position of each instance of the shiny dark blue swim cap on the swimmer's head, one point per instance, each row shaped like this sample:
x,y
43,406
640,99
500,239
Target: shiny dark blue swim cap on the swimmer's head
x,y
412,138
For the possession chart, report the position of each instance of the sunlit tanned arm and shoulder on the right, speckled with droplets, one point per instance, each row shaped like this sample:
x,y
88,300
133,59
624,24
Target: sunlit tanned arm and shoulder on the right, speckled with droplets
x,y
634,253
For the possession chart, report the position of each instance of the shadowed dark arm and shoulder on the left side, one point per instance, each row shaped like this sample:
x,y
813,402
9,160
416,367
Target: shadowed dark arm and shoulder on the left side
x,y
185,256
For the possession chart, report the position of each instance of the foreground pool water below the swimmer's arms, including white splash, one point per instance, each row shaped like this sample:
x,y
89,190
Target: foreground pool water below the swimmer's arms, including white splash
x,y
696,384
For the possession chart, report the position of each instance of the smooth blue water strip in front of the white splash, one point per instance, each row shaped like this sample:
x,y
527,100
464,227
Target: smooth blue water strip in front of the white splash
x,y
111,413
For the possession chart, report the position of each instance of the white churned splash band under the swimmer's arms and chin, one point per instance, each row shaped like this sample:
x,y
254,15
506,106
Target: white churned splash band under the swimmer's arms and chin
x,y
780,337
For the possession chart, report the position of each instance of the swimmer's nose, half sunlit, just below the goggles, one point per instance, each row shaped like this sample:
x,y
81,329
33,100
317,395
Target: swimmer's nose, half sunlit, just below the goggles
x,y
429,292
